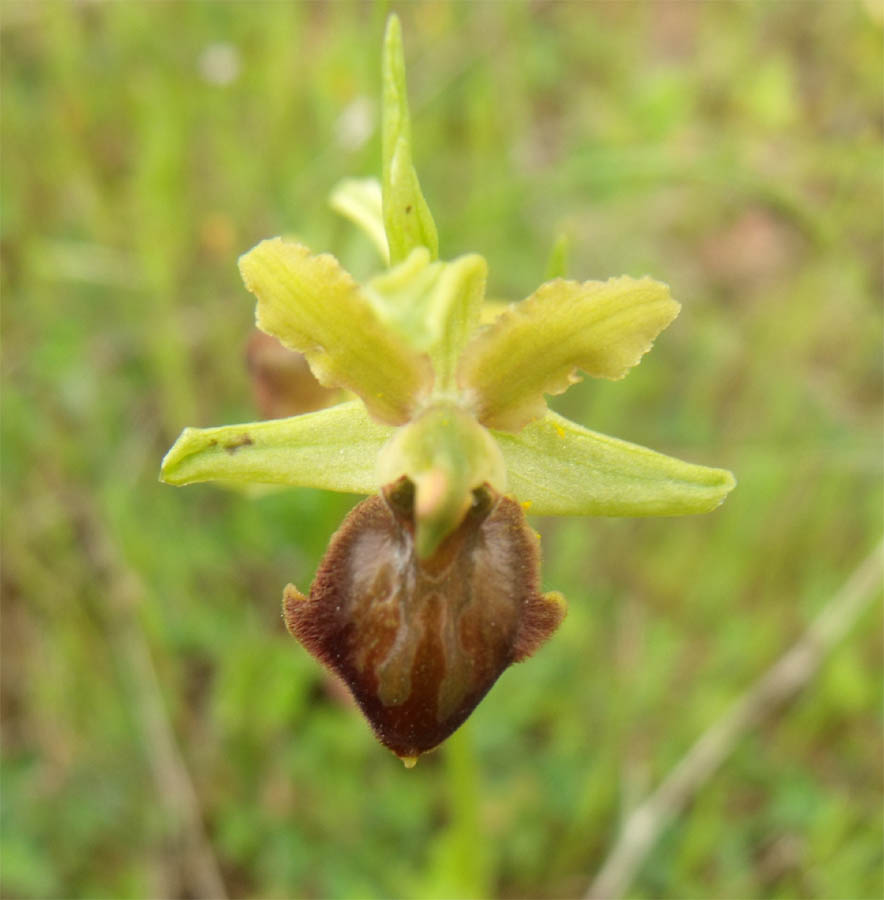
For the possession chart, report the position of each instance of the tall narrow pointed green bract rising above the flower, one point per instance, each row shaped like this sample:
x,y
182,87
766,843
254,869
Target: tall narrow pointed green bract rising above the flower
x,y
407,217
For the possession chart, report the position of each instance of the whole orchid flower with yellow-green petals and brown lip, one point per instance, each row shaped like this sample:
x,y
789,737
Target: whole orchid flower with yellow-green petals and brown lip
x,y
430,588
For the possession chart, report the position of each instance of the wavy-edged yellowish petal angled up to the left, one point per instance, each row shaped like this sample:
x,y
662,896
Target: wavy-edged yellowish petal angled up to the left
x,y
315,307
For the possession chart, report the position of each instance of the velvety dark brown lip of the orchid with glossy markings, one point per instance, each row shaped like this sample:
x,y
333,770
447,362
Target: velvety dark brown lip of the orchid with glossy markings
x,y
420,642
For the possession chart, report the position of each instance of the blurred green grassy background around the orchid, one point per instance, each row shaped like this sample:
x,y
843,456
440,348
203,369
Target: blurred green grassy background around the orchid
x,y
731,149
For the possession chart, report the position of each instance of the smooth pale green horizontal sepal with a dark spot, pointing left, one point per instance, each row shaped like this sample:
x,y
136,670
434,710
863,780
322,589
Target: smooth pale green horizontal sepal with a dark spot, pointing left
x,y
335,449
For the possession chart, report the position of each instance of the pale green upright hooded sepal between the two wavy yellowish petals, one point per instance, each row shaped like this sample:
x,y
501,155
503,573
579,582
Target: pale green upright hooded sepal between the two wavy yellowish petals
x,y
433,305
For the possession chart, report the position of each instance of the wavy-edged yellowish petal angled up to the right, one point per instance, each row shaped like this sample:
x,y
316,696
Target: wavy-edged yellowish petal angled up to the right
x,y
535,347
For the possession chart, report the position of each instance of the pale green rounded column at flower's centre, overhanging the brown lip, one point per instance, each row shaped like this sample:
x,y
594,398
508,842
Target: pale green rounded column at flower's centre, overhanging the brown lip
x,y
447,455
